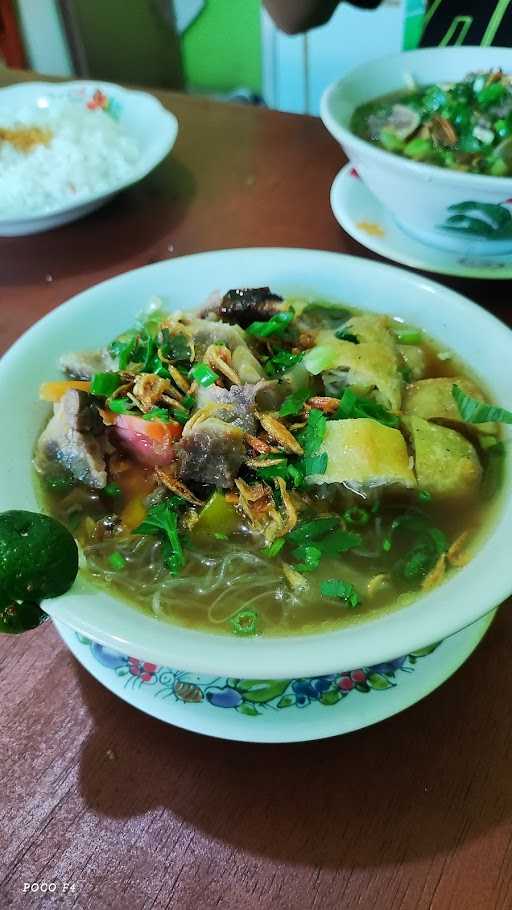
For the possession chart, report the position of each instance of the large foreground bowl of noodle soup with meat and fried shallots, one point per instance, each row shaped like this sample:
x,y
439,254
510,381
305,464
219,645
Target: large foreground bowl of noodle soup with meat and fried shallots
x,y
276,462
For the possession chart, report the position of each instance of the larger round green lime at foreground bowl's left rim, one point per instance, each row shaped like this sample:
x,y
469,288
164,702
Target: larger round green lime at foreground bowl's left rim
x,y
38,557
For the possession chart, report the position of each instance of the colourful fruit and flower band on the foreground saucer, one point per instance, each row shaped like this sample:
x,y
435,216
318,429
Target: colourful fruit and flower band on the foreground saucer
x,y
253,696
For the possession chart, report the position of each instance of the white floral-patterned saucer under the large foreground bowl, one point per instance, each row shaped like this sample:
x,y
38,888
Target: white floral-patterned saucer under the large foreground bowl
x,y
276,710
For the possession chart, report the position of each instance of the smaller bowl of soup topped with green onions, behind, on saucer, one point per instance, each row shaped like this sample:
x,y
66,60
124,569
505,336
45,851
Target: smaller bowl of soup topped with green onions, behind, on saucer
x,y
429,132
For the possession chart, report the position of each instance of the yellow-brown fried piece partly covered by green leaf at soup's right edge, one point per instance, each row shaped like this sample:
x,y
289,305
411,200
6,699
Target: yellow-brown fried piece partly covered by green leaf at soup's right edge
x,y
432,399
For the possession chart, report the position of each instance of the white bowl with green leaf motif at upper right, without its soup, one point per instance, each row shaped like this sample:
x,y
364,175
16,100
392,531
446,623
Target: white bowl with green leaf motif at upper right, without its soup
x,y
421,197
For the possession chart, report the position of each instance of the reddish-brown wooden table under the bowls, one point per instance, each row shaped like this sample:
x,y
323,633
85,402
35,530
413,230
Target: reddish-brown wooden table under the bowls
x,y
413,813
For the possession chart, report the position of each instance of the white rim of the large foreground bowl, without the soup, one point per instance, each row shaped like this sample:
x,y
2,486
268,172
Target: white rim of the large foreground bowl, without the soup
x,y
99,314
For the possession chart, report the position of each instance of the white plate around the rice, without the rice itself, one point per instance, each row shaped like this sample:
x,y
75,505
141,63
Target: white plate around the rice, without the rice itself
x,y
140,115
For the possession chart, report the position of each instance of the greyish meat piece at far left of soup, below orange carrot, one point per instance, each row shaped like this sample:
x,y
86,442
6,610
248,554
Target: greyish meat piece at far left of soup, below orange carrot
x,y
74,439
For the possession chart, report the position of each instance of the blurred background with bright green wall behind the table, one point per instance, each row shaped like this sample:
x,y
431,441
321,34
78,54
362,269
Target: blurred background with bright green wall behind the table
x,y
225,48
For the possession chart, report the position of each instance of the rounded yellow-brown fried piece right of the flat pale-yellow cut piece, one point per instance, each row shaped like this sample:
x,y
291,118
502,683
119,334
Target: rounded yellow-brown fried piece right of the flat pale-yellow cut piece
x,y
447,465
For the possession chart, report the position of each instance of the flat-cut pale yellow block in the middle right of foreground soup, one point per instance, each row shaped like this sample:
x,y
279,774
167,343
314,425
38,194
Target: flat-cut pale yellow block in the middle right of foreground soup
x,y
363,454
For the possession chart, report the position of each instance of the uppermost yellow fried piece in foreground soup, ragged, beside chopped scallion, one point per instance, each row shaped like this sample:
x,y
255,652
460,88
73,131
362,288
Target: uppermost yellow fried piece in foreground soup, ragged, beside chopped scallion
x,y
370,366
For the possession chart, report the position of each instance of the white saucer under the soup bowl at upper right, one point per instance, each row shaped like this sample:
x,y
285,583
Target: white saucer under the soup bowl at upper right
x,y
362,216
